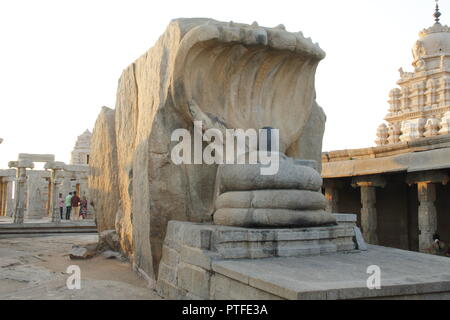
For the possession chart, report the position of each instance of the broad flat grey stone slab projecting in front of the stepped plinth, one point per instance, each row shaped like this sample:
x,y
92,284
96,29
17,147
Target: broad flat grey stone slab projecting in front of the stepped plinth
x,y
404,274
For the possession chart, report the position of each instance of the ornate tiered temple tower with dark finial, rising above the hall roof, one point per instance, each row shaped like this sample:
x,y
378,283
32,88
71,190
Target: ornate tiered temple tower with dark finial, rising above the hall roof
x,y
420,105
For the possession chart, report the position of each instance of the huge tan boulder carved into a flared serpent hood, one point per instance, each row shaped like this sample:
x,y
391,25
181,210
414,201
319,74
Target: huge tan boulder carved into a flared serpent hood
x,y
248,76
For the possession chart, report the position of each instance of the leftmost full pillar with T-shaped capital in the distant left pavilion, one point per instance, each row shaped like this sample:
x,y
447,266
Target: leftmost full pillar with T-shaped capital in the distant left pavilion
x,y
21,179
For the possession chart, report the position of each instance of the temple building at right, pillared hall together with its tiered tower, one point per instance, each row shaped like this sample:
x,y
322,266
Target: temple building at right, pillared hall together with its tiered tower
x,y
401,187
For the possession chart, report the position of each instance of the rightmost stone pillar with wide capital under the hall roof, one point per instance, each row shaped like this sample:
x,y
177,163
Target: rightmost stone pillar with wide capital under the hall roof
x,y
426,187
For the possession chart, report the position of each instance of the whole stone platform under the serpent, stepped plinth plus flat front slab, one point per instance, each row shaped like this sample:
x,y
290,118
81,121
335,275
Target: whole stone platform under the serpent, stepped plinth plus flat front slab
x,y
213,262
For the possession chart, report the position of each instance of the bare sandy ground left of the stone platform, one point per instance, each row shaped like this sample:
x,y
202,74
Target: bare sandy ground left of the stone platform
x,y
36,268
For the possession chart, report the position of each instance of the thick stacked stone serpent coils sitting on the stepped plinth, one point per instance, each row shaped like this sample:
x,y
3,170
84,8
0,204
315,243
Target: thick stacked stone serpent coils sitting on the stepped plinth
x,y
289,198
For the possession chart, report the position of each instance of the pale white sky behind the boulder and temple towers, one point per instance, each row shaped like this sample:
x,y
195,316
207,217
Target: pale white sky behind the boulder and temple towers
x,y
60,61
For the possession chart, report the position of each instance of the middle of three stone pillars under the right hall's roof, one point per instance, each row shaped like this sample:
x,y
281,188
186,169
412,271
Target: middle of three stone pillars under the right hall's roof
x,y
369,216
